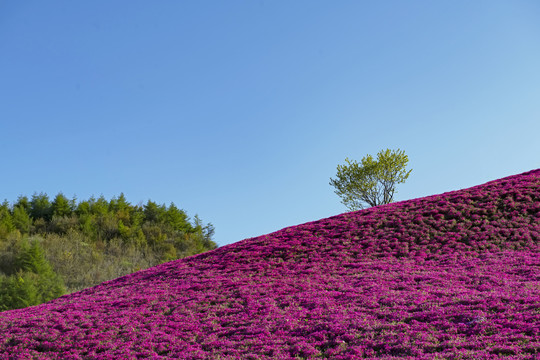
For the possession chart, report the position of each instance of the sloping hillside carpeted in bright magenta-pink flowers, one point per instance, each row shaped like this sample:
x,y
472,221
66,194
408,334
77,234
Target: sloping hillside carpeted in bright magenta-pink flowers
x,y
450,276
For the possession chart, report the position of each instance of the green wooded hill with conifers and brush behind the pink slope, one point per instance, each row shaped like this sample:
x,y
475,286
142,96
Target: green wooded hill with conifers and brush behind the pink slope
x,y
53,247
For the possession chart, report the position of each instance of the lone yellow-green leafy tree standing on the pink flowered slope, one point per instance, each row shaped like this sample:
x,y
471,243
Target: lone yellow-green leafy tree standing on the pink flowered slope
x,y
371,182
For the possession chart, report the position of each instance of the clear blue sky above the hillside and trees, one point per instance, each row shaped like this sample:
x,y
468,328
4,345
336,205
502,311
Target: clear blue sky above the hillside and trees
x,y
240,111
